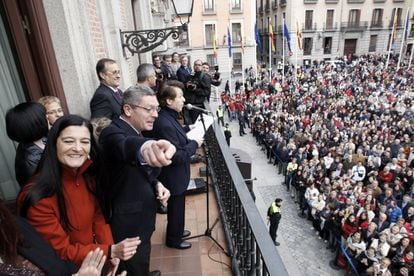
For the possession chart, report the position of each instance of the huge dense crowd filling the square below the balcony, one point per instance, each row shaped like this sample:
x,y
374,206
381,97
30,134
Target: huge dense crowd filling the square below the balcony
x,y
342,137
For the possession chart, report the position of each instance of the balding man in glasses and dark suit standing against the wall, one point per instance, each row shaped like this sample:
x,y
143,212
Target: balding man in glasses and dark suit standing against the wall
x,y
107,100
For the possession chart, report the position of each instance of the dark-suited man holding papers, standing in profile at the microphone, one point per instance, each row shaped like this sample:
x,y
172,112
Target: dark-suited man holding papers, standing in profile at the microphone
x,y
176,176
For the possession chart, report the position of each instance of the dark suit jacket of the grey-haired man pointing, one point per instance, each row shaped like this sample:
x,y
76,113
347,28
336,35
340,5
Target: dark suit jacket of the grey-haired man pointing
x,y
128,185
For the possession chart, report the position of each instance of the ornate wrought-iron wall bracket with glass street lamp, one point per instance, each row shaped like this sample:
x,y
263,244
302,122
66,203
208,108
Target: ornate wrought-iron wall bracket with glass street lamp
x,y
142,41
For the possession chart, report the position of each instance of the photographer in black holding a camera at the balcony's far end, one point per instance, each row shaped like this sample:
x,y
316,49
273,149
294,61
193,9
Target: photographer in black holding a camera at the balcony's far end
x,y
198,89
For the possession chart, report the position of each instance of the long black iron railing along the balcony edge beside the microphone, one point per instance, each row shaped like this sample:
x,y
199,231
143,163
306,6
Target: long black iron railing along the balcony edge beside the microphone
x,y
249,245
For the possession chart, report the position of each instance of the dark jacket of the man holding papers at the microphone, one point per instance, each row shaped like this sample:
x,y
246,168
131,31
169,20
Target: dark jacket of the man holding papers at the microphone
x,y
177,175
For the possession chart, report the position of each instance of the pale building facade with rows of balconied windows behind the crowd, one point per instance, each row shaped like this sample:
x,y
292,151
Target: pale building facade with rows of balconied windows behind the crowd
x,y
333,29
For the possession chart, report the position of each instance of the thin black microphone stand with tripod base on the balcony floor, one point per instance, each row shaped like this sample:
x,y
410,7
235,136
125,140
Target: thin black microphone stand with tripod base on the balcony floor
x,y
209,228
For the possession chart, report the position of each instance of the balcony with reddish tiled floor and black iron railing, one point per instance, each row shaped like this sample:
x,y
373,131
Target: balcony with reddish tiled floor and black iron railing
x,y
241,230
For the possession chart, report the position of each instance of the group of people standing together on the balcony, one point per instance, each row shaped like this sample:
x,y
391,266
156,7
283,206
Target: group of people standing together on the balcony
x,y
91,188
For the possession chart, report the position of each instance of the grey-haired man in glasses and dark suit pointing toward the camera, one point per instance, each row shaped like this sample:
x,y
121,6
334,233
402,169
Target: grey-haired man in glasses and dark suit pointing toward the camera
x,y
129,181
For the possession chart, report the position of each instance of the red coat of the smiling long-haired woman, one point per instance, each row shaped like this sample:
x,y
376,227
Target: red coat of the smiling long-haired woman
x,y
90,230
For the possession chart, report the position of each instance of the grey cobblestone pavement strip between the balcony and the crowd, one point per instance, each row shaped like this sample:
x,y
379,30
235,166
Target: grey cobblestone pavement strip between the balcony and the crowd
x,y
302,252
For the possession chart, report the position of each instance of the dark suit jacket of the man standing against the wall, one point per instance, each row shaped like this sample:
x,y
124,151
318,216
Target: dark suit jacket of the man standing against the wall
x,y
105,103
